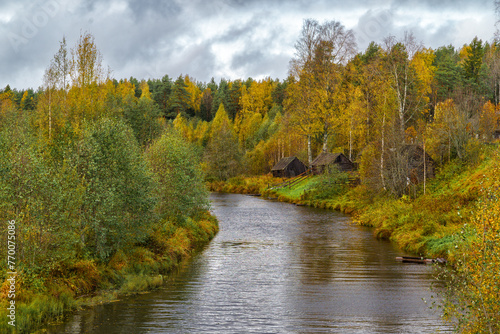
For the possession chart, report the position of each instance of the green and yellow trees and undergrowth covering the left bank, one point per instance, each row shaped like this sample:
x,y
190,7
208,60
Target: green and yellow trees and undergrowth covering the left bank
x,y
99,187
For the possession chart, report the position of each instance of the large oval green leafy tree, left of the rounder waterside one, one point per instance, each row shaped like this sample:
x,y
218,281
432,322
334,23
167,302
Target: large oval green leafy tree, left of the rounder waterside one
x,y
118,202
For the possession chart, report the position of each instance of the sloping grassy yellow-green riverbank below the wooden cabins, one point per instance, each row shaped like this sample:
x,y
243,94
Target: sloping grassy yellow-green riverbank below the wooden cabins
x,y
425,224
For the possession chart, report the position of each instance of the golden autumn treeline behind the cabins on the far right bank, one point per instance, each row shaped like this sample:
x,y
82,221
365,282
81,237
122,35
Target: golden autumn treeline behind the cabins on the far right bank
x,y
368,105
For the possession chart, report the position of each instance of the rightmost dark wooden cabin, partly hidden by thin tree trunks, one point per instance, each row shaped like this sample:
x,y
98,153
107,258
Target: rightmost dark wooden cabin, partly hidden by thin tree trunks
x,y
416,164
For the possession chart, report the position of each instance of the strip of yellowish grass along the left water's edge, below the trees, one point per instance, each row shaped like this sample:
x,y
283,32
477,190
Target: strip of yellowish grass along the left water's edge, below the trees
x,y
86,283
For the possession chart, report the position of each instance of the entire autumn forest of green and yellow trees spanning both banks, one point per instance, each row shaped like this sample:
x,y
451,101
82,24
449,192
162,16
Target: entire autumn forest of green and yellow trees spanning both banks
x,y
97,168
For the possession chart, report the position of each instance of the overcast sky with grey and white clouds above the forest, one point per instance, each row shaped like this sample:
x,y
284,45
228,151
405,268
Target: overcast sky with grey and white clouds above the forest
x,y
232,39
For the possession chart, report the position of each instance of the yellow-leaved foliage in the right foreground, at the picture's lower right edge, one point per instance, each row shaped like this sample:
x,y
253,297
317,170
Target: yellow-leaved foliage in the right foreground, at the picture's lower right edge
x,y
476,285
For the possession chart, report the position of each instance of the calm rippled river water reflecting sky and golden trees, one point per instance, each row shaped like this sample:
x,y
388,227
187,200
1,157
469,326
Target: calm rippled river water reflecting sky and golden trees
x,y
279,268
